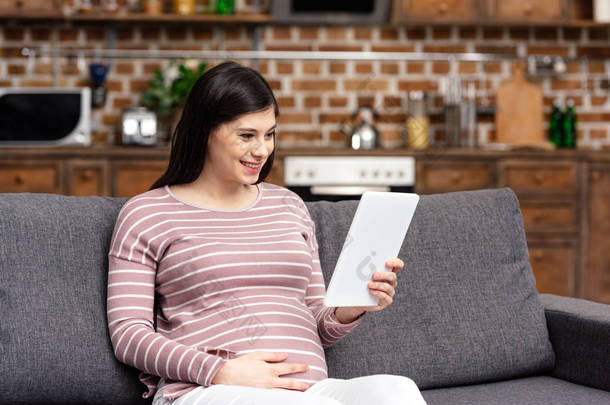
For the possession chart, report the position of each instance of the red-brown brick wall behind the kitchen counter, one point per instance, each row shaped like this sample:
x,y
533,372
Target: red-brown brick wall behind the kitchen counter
x,y
315,96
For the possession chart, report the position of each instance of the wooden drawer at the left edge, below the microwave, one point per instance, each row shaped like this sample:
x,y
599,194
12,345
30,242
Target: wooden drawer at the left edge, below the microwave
x,y
40,178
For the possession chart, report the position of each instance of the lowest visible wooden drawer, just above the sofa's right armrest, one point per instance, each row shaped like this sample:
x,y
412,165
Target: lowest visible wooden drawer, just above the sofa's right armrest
x,y
553,264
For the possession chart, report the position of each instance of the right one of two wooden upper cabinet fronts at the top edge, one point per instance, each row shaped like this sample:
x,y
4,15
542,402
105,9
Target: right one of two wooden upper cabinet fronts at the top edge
x,y
530,9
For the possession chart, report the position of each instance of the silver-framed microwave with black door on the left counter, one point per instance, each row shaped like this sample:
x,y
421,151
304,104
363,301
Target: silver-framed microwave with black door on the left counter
x,y
45,116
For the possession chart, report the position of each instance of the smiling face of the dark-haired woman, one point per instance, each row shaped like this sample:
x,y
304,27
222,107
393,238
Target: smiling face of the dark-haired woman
x,y
245,141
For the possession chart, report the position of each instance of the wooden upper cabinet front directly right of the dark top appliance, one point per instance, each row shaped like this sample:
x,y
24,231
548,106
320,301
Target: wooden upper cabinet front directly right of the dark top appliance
x,y
411,10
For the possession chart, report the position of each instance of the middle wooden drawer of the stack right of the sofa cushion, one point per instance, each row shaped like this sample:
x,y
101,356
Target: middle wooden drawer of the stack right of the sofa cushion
x,y
548,216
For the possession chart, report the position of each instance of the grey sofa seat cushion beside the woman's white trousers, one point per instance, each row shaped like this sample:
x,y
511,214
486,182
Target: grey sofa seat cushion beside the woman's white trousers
x,y
531,391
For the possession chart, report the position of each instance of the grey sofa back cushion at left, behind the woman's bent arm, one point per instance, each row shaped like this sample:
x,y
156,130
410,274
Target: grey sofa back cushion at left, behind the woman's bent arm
x,y
54,343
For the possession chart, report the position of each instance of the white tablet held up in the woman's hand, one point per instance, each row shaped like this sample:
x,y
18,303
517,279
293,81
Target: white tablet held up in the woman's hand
x,y
376,234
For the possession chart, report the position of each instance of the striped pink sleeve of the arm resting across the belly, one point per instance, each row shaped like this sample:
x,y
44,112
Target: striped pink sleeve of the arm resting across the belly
x,y
130,309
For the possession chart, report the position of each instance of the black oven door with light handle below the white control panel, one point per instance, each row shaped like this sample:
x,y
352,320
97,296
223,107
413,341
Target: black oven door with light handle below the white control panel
x,y
339,193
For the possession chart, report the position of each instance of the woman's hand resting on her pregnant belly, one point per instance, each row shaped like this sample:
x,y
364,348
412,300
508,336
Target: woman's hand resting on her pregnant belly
x,y
253,370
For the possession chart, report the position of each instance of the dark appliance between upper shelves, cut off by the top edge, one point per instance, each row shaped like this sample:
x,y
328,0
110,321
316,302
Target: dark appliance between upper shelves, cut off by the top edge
x,y
331,12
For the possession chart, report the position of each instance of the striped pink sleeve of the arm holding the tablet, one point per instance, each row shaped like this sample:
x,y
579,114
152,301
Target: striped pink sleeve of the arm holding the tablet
x,y
330,328
